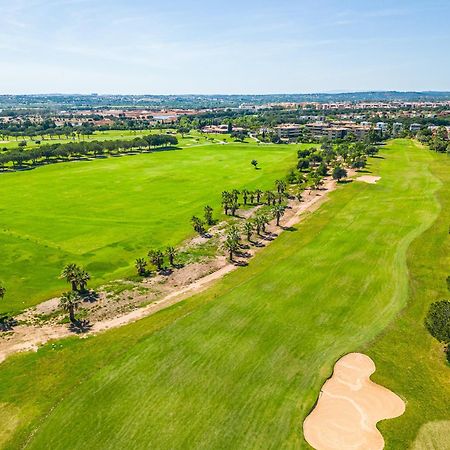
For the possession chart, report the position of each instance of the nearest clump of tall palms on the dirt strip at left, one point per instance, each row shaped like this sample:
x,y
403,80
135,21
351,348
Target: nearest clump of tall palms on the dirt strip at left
x,y
71,300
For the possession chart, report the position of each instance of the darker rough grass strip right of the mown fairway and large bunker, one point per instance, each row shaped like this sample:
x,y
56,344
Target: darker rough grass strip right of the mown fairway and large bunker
x,y
409,360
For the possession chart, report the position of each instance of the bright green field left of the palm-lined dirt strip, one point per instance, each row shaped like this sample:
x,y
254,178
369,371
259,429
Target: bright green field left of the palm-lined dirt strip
x,y
103,214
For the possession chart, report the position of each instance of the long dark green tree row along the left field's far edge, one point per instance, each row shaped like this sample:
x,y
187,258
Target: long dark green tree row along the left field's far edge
x,y
56,152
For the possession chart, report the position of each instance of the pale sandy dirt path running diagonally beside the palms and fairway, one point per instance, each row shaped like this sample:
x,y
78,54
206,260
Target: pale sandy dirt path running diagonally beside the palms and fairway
x,y
30,337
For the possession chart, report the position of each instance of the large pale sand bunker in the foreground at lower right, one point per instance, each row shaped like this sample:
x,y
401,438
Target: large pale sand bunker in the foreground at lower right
x,y
349,407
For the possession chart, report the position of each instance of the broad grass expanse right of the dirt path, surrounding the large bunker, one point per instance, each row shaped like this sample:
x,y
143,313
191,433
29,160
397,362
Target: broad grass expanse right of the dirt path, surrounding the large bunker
x,y
241,365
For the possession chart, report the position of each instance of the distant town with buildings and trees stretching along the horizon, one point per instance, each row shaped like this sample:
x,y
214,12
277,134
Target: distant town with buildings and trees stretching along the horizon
x,y
40,118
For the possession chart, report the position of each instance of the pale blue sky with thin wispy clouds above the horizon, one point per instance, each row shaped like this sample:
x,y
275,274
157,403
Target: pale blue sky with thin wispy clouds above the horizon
x,y
246,46
